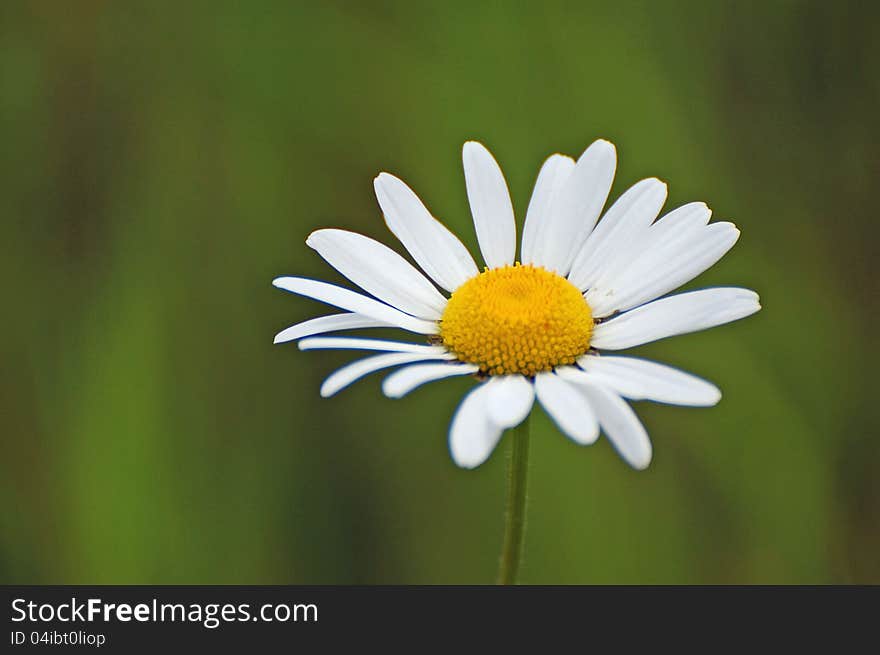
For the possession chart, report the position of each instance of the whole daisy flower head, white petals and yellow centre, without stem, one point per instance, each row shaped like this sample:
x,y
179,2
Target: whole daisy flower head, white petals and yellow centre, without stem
x,y
538,327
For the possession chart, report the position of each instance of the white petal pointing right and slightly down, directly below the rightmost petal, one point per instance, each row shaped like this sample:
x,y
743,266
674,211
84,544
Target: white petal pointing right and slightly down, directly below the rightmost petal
x,y
641,379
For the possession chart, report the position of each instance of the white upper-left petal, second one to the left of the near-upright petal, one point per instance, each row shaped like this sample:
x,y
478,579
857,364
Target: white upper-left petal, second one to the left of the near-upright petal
x,y
379,271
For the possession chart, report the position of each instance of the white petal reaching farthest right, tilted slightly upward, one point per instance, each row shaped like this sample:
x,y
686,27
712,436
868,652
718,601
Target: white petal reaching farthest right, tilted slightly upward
x,y
679,314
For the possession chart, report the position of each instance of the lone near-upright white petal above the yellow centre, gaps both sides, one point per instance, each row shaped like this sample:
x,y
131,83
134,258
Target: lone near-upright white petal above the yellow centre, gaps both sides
x,y
490,205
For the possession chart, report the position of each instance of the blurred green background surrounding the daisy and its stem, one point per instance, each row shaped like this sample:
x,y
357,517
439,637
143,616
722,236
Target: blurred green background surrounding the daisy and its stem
x,y
162,162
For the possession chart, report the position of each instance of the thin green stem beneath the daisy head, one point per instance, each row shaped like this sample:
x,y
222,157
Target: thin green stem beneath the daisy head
x,y
515,515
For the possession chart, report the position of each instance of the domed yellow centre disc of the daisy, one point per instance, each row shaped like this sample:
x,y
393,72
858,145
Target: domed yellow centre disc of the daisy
x,y
517,319
